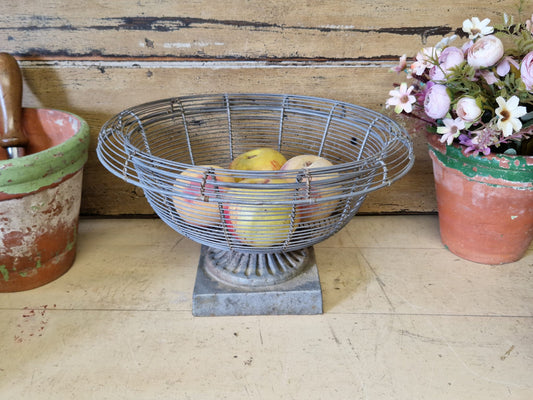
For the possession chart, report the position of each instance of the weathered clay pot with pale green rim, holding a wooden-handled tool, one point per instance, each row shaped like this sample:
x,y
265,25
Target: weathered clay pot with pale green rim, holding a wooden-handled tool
x,y
40,198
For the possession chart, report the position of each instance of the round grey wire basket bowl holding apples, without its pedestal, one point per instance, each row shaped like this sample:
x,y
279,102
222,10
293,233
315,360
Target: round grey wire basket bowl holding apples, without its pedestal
x,y
179,150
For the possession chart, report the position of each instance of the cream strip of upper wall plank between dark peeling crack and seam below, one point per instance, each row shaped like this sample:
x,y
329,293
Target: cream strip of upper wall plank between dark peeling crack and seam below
x,y
206,44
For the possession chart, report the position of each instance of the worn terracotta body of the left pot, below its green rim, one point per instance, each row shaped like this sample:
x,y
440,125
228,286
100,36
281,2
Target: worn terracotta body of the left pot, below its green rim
x,y
38,234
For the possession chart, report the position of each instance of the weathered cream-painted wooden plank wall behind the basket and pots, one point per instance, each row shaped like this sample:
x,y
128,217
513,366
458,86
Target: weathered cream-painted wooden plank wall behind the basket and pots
x,y
95,58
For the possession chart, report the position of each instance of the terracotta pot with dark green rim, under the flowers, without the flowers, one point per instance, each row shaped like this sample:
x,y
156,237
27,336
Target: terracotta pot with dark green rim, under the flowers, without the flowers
x,y
485,203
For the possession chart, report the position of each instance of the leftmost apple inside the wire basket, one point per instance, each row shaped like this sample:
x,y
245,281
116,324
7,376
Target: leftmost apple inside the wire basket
x,y
200,183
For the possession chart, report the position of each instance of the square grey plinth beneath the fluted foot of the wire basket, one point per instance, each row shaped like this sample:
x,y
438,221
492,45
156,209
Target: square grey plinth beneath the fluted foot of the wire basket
x,y
301,295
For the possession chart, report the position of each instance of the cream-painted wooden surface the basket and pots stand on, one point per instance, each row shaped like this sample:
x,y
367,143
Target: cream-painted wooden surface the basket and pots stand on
x,y
403,319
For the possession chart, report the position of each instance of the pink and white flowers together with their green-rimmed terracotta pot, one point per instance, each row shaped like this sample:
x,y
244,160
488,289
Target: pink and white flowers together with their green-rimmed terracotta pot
x,y
474,101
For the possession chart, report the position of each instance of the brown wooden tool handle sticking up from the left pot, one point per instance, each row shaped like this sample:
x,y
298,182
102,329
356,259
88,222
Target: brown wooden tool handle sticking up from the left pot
x,y
11,133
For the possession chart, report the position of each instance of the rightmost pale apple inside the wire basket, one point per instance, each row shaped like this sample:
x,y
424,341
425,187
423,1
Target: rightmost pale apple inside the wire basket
x,y
314,191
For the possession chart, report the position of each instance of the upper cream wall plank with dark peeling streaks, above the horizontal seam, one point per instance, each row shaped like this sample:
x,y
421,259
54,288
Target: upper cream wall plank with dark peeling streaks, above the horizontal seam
x,y
234,29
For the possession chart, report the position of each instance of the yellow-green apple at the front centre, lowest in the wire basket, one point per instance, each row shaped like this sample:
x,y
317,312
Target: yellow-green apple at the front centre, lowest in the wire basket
x,y
258,221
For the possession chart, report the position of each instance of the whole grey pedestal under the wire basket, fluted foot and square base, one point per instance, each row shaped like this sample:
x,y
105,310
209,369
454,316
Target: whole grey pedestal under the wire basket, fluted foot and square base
x,y
232,283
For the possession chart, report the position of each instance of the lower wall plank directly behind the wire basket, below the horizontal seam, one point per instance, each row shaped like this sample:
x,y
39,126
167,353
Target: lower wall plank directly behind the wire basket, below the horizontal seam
x,y
98,92
